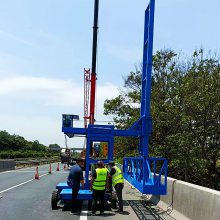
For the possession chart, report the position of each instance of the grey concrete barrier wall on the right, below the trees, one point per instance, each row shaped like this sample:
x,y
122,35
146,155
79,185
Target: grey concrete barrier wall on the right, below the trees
x,y
190,201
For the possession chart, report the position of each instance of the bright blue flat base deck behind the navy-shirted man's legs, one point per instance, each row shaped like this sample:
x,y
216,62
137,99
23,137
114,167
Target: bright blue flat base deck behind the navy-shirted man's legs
x,y
84,194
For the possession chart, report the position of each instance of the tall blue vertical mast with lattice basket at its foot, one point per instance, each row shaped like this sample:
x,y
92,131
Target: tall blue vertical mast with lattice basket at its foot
x,y
144,172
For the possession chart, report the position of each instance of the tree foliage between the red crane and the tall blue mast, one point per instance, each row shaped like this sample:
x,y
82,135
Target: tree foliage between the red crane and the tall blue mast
x,y
125,110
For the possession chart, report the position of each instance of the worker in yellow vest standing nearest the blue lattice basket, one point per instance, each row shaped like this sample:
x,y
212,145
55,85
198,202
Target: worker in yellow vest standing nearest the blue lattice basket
x,y
115,175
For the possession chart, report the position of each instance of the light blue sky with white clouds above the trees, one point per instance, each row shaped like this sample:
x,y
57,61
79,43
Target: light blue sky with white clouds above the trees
x,y
46,44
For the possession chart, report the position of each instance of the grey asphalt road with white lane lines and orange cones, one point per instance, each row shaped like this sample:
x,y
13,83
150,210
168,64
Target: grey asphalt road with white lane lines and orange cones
x,y
24,198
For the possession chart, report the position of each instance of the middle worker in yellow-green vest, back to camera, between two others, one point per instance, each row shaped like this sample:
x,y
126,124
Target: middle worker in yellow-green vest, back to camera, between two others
x,y
98,185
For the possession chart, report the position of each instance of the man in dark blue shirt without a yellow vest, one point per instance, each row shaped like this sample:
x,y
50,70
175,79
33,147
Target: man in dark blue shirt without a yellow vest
x,y
74,179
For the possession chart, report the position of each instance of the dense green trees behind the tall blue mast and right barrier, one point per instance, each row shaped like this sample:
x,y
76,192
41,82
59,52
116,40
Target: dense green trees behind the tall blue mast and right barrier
x,y
185,107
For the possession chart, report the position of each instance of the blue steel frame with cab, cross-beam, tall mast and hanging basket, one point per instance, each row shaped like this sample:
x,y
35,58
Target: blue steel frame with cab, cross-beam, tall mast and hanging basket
x,y
148,175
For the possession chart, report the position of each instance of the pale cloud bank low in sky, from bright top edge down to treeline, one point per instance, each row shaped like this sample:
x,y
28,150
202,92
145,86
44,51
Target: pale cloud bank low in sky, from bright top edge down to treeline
x,y
45,123
